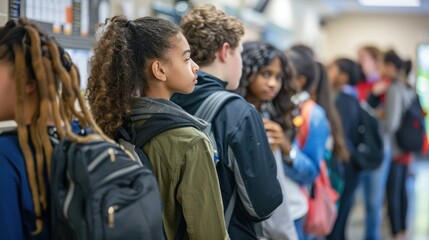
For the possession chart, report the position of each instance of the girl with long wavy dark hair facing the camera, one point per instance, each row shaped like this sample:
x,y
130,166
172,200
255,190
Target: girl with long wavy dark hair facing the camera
x,y
266,83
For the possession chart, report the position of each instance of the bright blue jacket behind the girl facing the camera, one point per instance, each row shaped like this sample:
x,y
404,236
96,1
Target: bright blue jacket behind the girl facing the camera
x,y
305,167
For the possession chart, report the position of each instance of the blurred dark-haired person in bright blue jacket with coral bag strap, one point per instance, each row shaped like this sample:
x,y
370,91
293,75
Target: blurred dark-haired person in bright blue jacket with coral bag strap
x,y
308,150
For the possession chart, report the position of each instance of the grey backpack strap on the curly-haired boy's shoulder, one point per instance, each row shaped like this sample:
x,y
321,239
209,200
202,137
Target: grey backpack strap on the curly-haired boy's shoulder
x,y
209,108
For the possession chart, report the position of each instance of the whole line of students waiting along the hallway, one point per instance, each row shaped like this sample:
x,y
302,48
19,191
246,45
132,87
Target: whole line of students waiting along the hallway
x,y
290,122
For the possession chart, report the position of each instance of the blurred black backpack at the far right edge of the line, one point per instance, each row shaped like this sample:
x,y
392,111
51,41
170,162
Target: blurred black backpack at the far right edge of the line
x,y
411,133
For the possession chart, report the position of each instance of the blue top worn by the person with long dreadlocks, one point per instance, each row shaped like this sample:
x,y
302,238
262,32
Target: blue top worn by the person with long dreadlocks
x,y
17,218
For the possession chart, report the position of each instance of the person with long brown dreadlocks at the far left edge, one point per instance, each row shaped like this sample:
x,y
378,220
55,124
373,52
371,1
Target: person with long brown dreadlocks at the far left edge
x,y
39,86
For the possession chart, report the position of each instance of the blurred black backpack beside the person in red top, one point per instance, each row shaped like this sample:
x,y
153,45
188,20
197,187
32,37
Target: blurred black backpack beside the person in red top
x,y
369,150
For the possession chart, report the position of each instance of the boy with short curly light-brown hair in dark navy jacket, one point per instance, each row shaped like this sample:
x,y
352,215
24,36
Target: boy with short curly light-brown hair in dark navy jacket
x,y
215,40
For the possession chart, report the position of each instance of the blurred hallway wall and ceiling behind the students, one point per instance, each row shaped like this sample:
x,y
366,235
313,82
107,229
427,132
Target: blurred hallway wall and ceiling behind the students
x,y
332,28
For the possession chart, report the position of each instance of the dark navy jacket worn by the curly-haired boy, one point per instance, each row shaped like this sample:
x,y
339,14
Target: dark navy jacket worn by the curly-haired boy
x,y
238,125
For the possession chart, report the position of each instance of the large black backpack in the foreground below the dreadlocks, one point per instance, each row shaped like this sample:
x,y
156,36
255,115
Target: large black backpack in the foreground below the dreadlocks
x,y
99,192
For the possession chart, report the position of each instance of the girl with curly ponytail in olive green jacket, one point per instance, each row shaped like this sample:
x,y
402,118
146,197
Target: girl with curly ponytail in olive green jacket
x,y
137,66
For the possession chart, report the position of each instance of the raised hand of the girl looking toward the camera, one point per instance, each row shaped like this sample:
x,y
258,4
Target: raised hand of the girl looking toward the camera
x,y
276,136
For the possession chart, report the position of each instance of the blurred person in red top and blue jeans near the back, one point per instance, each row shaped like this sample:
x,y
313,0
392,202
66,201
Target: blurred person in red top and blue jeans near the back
x,y
373,90
